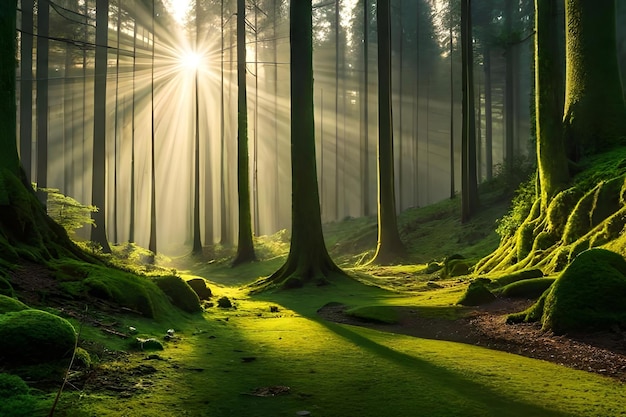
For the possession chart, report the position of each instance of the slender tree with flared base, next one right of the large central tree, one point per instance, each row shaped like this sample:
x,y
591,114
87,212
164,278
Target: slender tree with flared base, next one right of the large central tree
x,y
389,246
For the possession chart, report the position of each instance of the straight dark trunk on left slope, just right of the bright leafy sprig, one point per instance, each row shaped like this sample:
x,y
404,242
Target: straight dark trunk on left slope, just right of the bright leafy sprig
x,y
98,190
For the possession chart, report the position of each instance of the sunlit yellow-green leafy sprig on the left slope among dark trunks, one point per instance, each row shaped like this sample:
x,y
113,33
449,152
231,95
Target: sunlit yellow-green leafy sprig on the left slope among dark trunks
x,y
68,212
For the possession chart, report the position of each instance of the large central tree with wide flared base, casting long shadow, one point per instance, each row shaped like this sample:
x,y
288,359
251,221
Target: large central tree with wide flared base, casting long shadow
x,y
308,259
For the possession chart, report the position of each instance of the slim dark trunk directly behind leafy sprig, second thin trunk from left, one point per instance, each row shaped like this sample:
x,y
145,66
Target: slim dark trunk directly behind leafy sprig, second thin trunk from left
x,y
43,22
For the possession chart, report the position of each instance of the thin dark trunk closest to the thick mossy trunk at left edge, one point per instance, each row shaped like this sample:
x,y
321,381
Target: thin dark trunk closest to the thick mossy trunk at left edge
x,y
26,88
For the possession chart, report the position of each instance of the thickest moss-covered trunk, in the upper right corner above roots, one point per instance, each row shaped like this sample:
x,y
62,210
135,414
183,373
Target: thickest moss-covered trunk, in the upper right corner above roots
x,y
595,117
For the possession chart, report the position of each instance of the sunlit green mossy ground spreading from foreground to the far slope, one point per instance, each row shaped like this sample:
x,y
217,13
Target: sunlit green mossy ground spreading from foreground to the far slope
x,y
220,357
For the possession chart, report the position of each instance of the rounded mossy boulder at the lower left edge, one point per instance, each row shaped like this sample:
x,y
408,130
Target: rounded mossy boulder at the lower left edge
x,y
35,336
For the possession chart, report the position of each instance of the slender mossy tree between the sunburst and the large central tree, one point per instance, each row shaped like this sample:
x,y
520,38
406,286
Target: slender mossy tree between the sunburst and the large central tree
x,y
245,247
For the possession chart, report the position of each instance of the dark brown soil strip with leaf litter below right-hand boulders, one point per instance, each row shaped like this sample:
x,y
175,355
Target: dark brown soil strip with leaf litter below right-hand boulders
x,y
601,352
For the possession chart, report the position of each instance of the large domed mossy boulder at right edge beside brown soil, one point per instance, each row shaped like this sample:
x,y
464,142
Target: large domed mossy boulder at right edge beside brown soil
x,y
589,294
